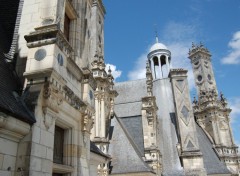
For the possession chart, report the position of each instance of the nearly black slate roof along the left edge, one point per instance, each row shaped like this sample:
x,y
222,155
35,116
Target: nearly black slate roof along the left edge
x,y
10,101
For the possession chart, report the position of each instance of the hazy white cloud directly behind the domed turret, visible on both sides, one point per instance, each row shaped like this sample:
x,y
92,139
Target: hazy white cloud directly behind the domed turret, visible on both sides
x,y
178,38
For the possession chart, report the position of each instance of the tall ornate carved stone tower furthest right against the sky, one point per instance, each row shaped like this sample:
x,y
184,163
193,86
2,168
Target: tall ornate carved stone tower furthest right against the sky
x,y
211,111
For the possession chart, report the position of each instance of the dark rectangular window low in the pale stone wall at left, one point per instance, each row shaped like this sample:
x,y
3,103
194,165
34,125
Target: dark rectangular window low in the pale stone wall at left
x,y
58,145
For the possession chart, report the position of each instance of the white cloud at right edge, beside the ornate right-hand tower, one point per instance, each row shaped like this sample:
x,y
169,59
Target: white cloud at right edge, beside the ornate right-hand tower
x,y
234,56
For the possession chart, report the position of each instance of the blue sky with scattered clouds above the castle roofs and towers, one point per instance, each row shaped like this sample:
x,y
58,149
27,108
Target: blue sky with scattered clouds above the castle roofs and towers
x,y
129,33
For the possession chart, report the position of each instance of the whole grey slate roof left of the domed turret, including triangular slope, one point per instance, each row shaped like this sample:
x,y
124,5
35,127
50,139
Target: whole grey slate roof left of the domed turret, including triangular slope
x,y
126,145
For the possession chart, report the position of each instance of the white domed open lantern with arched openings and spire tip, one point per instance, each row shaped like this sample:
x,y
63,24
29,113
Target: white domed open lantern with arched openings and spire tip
x,y
160,60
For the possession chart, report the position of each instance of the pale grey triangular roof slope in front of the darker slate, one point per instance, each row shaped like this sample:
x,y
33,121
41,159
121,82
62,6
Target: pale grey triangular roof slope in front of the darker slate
x,y
126,157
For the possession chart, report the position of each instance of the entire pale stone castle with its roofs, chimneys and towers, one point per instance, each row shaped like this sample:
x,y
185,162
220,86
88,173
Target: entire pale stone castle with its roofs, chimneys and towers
x,y
62,114
